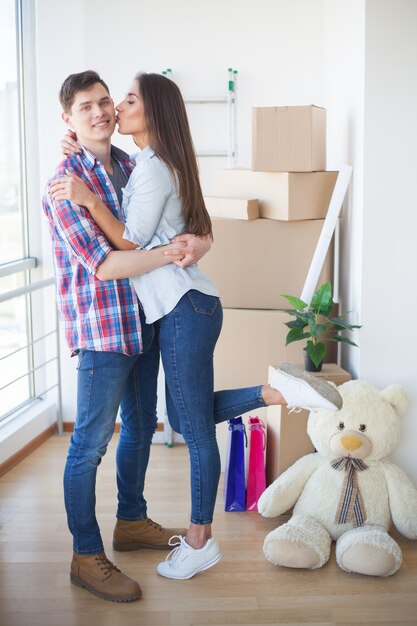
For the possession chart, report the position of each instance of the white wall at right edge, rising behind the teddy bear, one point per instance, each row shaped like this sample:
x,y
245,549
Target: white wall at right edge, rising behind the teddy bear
x,y
389,259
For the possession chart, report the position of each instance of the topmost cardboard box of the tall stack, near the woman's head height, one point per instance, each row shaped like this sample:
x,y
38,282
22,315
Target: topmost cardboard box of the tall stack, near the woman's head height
x,y
289,139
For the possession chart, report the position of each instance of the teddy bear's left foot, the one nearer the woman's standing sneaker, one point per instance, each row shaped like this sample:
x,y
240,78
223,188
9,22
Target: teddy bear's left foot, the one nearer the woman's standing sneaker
x,y
300,543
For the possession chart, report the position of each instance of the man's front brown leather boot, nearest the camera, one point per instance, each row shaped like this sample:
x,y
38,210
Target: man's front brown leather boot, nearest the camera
x,y
97,574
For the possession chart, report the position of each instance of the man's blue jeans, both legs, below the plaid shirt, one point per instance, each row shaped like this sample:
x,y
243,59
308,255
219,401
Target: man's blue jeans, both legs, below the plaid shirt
x,y
107,380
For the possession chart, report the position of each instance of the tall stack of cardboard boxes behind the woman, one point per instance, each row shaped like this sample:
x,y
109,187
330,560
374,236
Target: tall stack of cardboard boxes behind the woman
x,y
266,224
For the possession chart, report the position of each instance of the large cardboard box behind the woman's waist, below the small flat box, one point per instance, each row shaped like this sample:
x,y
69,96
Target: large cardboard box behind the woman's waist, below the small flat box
x,y
254,262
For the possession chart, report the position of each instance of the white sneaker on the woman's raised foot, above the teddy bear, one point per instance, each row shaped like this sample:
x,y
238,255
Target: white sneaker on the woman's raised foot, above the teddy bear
x,y
303,390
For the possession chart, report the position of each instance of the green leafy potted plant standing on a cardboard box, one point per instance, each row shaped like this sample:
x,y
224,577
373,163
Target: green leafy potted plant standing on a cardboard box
x,y
311,322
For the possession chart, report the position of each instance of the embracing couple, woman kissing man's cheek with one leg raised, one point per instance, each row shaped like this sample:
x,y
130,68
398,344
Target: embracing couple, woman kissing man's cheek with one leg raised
x,y
126,235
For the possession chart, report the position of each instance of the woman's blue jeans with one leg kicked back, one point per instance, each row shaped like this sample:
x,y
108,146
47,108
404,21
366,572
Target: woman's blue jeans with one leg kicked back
x,y
188,336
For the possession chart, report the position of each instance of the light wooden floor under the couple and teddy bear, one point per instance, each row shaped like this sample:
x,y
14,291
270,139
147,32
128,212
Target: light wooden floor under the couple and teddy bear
x,y
242,589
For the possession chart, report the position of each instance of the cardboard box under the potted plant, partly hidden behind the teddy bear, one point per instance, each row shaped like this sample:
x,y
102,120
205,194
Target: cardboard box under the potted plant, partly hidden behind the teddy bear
x,y
287,438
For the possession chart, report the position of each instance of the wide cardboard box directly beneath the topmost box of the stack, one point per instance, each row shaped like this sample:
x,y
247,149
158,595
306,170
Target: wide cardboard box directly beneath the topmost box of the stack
x,y
281,195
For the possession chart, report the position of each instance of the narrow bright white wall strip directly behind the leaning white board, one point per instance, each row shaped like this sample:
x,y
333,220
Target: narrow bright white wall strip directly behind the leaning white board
x,y
344,65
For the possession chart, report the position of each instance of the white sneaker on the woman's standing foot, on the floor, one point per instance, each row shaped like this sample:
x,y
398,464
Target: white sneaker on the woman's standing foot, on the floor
x,y
184,561
